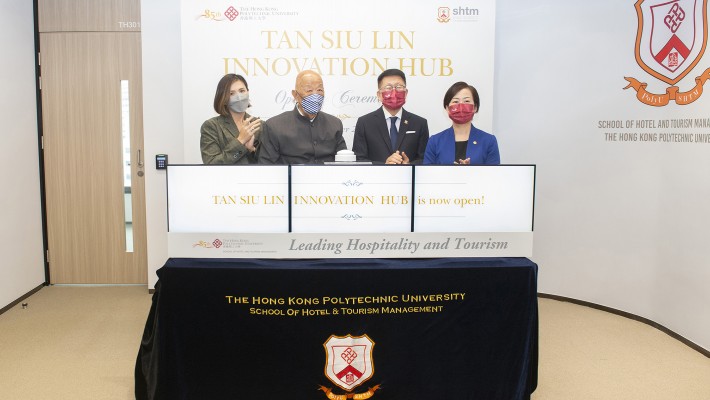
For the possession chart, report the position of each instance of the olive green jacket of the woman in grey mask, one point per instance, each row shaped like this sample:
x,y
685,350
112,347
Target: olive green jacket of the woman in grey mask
x,y
219,144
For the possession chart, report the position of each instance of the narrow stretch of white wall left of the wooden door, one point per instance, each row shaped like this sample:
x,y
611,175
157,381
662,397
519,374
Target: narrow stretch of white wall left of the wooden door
x,y
22,267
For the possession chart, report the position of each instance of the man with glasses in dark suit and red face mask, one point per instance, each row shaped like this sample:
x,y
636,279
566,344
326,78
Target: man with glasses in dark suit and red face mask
x,y
391,134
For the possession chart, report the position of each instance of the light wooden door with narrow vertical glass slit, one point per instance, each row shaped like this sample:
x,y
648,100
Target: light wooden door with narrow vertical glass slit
x,y
83,126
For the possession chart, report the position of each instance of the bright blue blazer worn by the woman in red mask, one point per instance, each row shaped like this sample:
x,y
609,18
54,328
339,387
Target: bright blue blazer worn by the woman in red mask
x,y
441,148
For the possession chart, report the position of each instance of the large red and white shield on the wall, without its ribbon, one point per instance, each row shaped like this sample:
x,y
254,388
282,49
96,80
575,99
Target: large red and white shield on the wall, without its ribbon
x,y
671,37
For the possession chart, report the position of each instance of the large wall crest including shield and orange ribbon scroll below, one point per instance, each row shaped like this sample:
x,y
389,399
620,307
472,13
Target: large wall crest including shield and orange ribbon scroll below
x,y
670,41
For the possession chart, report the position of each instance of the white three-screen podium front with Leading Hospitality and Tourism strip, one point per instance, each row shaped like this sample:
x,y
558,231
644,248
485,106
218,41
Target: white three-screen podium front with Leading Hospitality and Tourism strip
x,y
330,211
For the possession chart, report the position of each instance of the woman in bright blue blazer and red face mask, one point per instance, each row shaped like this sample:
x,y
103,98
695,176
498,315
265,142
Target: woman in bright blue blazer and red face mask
x,y
462,143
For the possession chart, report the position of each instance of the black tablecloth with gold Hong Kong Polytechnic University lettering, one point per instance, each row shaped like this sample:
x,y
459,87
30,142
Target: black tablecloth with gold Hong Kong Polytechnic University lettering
x,y
461,328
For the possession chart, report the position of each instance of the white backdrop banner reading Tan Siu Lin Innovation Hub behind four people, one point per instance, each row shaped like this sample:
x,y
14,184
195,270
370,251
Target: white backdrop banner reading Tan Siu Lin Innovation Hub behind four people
x,y
349,43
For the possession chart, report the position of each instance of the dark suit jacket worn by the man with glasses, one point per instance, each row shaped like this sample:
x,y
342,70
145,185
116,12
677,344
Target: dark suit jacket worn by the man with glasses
x,y
372,137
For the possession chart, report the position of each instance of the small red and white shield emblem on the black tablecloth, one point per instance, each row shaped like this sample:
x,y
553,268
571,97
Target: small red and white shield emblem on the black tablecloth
x,y
348,360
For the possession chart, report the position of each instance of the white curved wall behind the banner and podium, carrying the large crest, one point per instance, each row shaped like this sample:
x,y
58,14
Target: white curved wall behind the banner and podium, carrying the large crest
x,y
618,224
